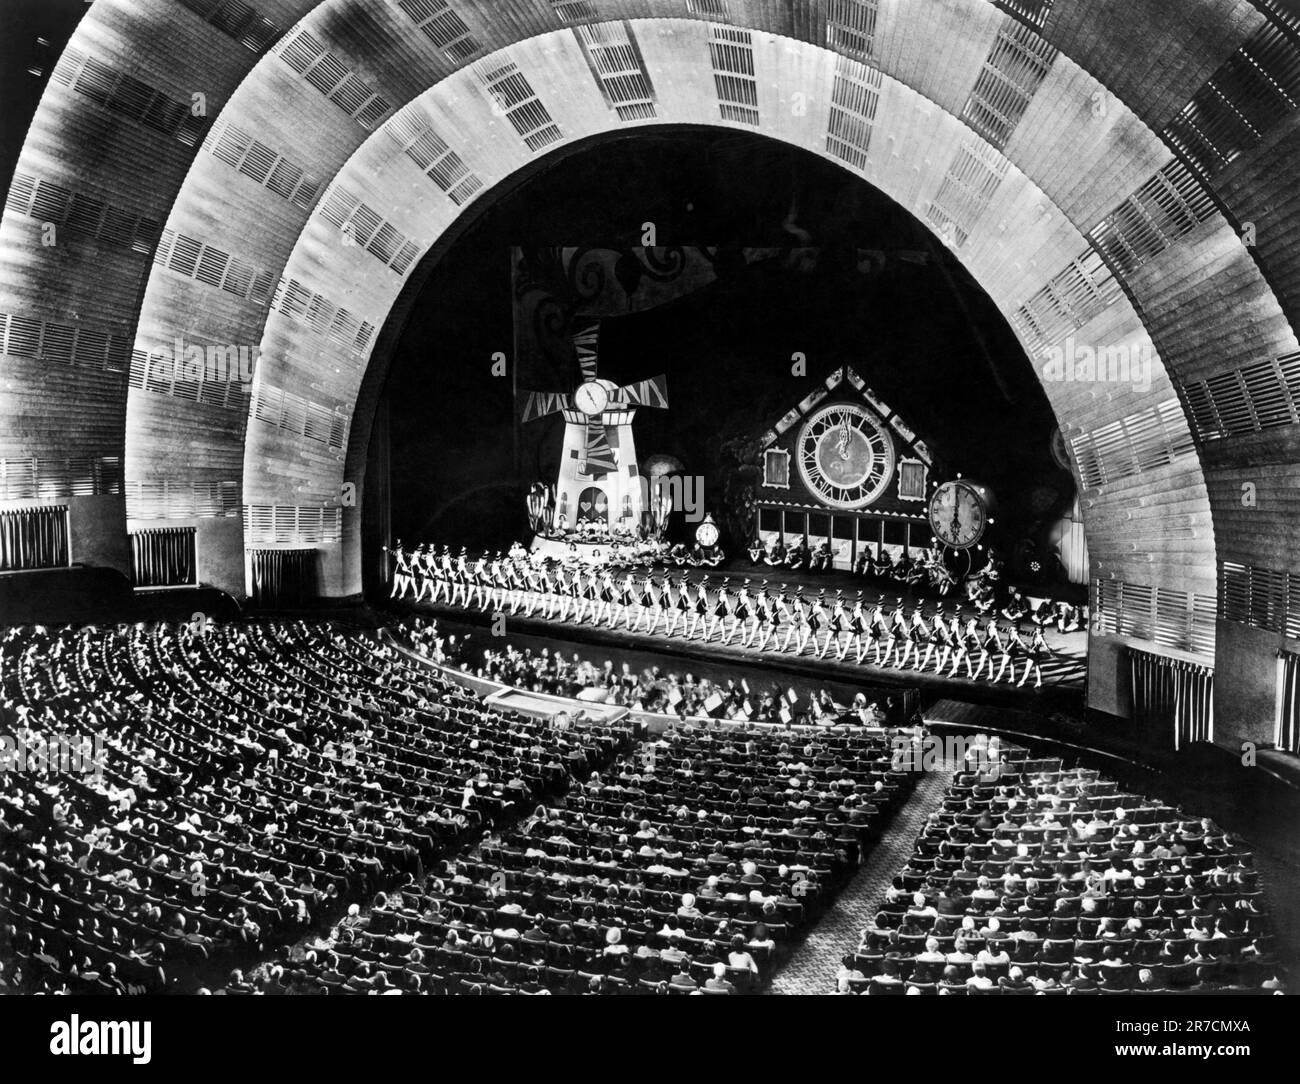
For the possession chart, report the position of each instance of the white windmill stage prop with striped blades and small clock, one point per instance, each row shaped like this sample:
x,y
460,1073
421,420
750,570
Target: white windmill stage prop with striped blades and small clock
x,y
599,488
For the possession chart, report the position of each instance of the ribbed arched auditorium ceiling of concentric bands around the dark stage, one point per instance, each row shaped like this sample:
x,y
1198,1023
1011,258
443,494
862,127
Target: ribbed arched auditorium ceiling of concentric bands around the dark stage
x,y
1093,166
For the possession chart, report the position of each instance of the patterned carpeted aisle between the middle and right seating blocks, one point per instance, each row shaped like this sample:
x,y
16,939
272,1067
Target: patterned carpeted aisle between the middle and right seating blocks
x,y
813,968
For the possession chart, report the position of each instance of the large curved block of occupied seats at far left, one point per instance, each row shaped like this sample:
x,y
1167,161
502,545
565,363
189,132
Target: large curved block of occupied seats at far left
x,y
257,779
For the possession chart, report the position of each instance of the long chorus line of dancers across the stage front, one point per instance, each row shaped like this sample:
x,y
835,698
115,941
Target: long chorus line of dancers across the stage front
x,y
761,618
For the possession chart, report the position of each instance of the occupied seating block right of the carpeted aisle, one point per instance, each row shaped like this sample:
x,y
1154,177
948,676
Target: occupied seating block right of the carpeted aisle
x,y
1037,881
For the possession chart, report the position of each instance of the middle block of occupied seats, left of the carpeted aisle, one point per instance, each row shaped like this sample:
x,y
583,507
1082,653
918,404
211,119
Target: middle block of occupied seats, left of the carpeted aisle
x,y
688,866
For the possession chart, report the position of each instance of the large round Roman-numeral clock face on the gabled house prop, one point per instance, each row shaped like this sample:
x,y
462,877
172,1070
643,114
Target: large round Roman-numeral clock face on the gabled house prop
x,y
846,457
